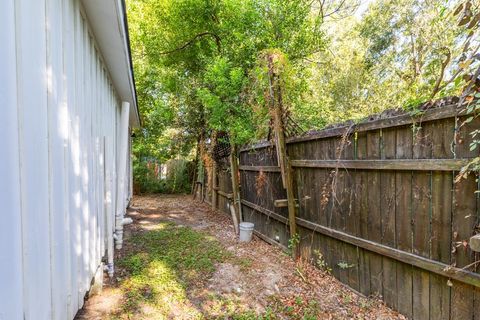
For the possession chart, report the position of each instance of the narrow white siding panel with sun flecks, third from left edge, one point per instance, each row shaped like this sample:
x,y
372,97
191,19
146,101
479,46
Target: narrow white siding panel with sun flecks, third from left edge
x,y
57,147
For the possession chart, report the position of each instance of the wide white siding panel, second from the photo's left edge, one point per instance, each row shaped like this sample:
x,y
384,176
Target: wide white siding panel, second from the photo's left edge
x,y
33,132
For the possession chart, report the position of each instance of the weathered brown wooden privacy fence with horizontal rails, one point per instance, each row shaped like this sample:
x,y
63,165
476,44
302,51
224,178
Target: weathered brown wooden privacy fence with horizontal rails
x,y
377,203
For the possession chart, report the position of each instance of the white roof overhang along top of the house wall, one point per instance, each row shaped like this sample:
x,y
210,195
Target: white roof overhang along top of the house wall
x,y
108,21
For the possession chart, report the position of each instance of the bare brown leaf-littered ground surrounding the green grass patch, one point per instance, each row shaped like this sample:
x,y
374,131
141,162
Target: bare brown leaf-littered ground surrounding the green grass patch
x,y
265,279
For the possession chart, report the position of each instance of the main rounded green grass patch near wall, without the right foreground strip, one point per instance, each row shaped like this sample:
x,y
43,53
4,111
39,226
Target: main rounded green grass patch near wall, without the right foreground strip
x,y
163,264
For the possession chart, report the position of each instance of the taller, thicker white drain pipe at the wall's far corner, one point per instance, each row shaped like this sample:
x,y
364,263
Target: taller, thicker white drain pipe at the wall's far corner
x,y
122,172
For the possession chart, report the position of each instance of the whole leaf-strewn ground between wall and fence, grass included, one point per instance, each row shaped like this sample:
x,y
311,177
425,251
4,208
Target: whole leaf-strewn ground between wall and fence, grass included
x,y
247,281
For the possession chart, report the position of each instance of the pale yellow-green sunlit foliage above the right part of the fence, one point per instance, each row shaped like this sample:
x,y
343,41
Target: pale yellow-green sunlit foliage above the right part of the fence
x,y
398,54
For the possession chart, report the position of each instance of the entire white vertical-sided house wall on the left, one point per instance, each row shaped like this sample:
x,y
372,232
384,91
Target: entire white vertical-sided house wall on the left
x,y
59,149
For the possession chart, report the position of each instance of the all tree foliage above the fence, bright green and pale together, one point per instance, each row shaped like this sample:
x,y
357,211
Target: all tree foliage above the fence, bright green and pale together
x,y
200,65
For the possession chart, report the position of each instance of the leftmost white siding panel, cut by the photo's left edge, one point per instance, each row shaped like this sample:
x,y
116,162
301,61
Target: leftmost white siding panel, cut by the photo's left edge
x,y
10,227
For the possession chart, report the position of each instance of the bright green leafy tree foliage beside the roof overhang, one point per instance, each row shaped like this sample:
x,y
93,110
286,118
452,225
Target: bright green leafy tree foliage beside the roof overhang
x,y
195,64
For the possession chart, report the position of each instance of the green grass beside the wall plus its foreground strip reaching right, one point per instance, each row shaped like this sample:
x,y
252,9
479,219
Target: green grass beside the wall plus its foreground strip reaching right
x,y
162,264
